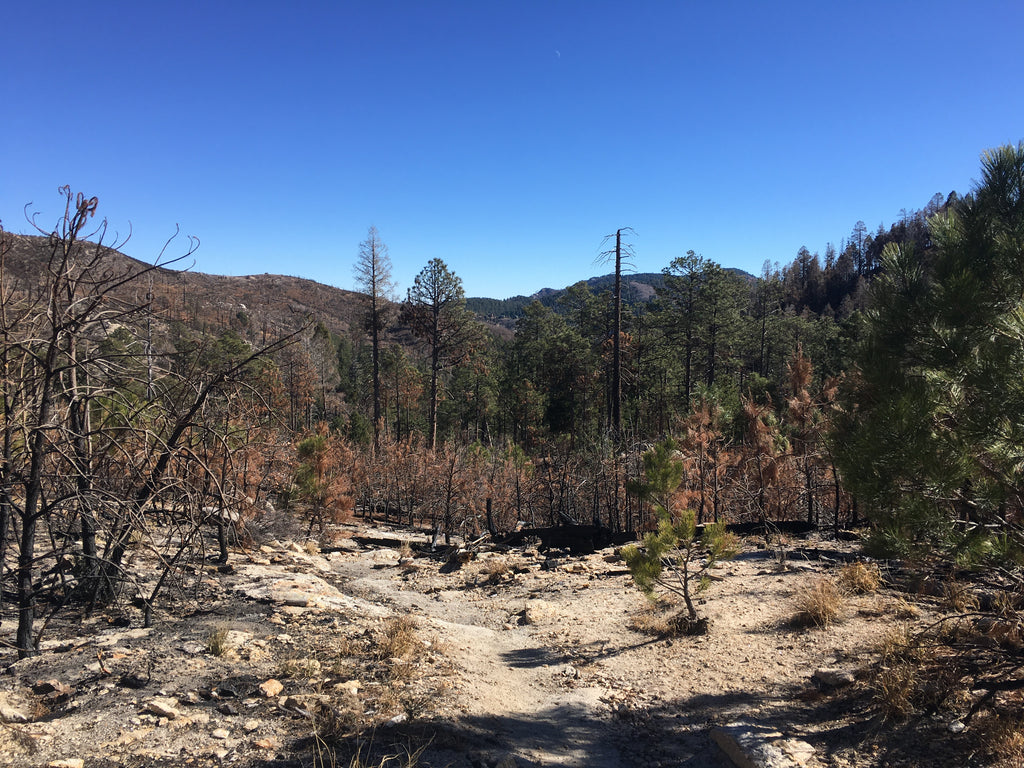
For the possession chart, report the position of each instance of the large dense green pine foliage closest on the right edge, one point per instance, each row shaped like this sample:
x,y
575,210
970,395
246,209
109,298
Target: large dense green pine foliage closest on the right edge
x,y
934,426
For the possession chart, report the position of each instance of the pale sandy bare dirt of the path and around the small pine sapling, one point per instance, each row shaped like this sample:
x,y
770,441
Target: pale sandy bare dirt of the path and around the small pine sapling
x,y
574,685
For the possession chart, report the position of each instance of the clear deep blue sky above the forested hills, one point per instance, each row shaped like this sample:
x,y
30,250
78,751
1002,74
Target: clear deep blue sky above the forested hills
x,y
504,138
